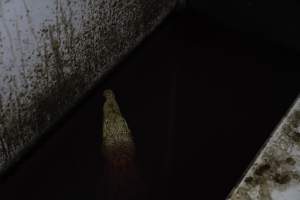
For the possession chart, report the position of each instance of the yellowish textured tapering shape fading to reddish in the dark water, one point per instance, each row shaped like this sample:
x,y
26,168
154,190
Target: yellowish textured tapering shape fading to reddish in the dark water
x,y
119,153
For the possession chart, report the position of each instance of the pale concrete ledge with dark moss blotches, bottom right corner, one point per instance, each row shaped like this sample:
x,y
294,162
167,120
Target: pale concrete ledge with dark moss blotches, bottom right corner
x,y
275,173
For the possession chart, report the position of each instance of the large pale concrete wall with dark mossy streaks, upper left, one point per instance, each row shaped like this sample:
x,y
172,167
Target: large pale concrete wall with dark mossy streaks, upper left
x,y
53,51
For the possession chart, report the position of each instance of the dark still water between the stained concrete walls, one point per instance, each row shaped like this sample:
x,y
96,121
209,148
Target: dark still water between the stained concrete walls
x,y
200,99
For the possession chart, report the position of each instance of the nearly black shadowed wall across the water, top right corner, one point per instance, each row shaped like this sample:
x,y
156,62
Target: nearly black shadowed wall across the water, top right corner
x,y
278,21
